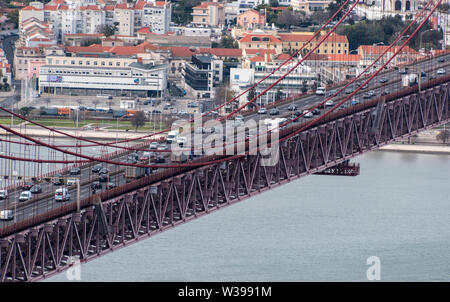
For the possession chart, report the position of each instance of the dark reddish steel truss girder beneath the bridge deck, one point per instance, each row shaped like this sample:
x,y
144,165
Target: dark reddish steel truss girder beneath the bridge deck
x,y
46,249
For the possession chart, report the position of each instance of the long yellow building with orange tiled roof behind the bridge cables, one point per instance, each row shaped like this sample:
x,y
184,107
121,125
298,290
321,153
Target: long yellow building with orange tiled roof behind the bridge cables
x,y
334,44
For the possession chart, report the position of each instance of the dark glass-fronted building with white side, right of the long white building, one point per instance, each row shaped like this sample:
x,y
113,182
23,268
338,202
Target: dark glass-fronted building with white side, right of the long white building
x,y
202,75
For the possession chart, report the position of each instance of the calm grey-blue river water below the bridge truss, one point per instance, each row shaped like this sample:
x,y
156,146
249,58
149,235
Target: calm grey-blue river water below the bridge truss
x,y
318,228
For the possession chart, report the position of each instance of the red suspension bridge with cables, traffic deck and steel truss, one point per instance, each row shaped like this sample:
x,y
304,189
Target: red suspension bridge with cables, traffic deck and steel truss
x,y
316,134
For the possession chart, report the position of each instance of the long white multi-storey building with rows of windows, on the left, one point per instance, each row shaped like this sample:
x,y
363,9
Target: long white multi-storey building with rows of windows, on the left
x,y
102,74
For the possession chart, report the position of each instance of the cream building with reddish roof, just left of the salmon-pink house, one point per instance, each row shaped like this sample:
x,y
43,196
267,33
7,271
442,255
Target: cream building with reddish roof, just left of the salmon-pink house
x,y
208,14
